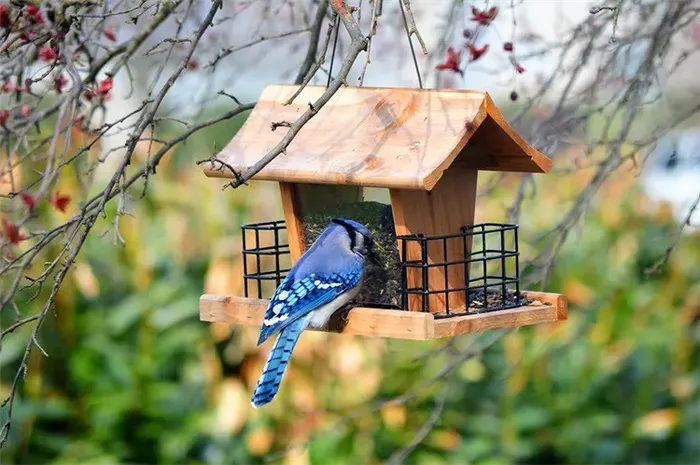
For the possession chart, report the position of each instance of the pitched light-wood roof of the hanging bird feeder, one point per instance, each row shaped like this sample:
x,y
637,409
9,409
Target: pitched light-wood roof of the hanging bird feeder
x,y
379,137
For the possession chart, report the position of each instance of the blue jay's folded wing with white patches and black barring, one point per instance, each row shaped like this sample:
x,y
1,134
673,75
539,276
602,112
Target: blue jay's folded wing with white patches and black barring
x,y
296,298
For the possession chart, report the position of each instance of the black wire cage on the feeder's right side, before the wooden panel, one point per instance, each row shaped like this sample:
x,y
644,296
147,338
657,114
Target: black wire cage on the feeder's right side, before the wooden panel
x,y
490,264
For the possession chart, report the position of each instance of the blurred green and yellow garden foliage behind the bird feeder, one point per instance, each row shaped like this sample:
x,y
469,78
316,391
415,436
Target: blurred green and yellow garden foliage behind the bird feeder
x,y
133,376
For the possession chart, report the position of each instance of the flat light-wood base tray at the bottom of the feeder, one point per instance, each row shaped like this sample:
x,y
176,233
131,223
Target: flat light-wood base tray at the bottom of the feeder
x,y
396,324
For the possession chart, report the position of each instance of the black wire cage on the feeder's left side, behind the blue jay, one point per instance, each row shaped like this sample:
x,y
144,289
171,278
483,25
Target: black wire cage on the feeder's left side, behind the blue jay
x,y
266,259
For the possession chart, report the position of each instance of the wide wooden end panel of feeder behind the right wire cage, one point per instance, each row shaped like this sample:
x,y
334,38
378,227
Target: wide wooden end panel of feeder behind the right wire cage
x,y
444,210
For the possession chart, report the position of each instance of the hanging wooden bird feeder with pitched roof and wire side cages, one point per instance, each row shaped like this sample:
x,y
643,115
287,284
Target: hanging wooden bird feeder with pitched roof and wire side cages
x,y
426,148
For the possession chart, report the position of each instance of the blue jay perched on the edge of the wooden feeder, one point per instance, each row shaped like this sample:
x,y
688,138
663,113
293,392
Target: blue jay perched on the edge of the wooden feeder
x,y
323,280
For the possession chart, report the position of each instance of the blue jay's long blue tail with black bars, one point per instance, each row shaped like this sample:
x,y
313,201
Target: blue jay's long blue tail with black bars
x,y
277,361
